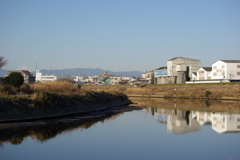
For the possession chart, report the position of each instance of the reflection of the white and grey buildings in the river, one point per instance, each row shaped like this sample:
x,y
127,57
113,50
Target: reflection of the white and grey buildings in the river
x,y
179,121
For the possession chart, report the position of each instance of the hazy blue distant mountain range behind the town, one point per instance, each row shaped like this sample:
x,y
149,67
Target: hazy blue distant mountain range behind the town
x,y
83,71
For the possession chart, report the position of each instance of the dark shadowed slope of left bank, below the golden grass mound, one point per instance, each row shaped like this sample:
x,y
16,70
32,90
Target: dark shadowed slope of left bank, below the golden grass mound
x,y
45,105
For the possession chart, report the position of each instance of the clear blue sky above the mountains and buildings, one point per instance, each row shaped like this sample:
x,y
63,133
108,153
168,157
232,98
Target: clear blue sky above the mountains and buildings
x,y
119,35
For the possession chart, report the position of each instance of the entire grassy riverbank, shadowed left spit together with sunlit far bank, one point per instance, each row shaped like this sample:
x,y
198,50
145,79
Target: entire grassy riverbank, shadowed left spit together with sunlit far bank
x,y
57,98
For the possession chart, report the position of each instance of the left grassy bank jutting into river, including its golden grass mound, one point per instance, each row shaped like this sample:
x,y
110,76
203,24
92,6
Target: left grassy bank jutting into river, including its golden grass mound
x,y
56,99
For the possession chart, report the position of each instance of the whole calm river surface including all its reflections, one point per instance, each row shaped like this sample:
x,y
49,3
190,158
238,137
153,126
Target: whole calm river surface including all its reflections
x,y
163,129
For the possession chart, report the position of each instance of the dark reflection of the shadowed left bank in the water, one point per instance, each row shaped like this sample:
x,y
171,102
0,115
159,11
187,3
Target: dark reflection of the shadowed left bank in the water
x,y
52,129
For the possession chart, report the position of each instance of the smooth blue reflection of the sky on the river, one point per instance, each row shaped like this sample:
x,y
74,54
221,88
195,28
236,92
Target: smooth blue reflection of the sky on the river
x,y
132,135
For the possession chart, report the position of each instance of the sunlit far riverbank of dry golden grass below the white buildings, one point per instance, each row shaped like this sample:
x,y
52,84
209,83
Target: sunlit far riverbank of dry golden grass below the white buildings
x,y
217,91
